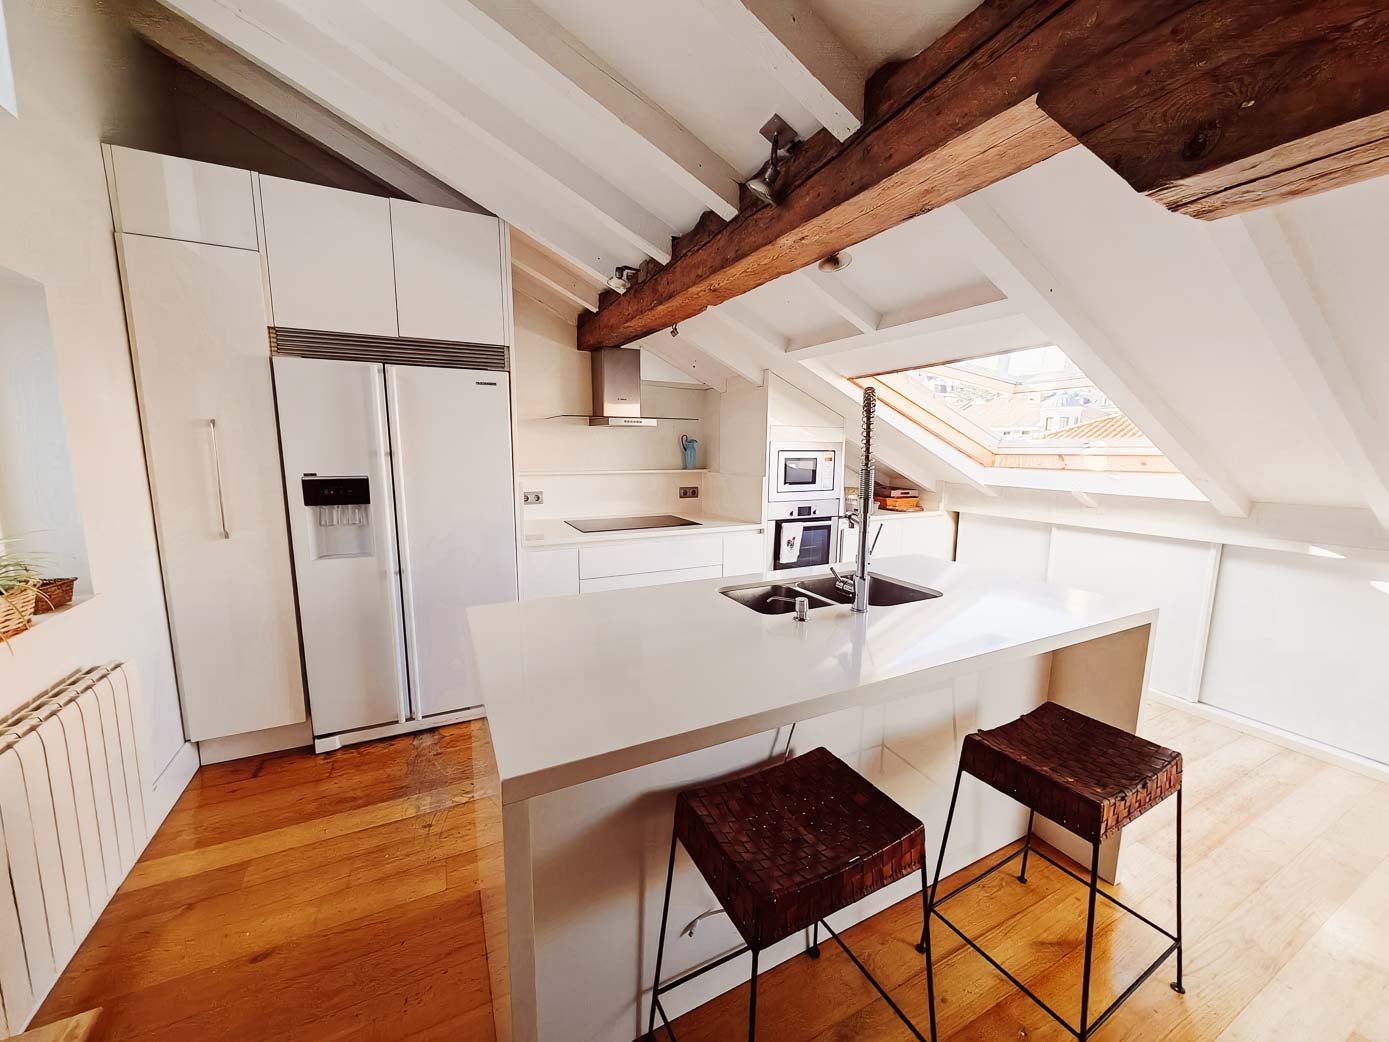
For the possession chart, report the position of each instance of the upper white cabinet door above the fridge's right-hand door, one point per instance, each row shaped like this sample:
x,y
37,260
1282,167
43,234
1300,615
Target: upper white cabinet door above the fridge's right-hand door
x,y
449,283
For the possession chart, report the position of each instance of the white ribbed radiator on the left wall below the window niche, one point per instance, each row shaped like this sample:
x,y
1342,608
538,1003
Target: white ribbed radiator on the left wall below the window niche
x,y
72,826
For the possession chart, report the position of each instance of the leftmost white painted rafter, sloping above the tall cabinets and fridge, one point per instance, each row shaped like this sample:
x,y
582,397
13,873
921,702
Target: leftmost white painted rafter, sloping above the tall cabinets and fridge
x,y
295,51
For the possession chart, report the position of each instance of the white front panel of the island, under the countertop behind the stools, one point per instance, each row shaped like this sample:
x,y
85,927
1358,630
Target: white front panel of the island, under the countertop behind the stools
x,y
599,854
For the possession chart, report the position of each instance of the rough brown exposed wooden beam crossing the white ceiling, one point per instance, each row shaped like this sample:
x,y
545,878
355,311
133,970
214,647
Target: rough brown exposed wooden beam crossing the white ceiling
x,y
1188,99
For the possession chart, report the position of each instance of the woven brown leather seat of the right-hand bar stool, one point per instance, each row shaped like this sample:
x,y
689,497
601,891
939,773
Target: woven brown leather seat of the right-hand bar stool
x,y
1088,777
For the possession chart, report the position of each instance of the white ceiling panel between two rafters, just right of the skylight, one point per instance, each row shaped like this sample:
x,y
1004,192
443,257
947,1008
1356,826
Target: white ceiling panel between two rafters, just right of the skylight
x,y
1159,290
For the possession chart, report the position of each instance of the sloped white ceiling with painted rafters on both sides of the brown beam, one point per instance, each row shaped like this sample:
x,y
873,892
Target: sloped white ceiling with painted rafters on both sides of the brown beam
x,y
601,130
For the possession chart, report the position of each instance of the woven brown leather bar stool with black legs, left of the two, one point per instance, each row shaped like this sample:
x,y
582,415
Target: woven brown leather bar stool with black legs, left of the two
x,y
783,850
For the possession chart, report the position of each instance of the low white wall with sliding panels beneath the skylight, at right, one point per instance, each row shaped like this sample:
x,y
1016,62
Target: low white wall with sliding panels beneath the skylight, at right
x,y
1288,638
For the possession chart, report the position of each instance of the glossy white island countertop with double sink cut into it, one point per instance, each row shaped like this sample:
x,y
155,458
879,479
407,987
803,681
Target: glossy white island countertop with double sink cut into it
x,y
584,687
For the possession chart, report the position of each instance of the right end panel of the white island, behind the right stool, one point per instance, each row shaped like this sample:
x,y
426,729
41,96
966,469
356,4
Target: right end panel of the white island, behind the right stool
x,y
1105,679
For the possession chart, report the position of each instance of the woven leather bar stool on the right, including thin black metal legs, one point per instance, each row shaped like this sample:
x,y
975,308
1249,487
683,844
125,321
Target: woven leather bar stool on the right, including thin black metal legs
x,y
1092,780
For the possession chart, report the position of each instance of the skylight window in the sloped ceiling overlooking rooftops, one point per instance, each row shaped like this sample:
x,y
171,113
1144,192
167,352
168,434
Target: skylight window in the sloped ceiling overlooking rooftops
x,y
1033,409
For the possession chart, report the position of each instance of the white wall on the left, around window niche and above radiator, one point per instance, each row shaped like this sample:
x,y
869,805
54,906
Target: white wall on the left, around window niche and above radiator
x,y
84,80
